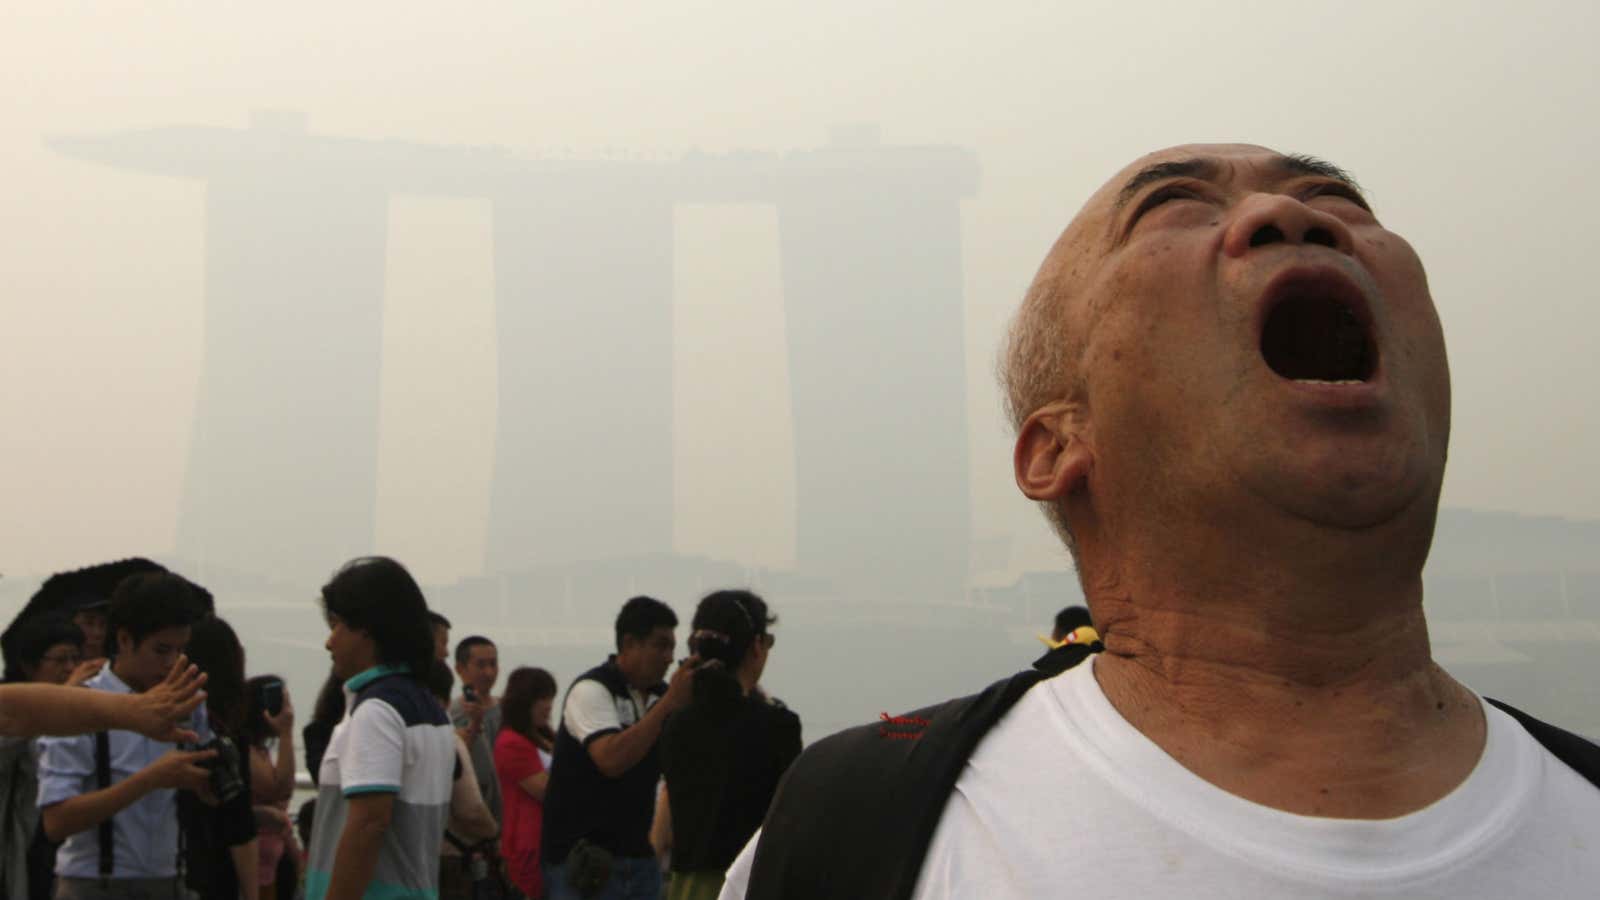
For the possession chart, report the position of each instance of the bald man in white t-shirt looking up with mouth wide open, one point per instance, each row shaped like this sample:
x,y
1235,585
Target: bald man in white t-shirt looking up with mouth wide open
x,y
1233,401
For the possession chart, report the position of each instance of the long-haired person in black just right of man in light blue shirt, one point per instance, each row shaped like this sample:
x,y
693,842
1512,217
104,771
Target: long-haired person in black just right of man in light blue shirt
x,y
220,830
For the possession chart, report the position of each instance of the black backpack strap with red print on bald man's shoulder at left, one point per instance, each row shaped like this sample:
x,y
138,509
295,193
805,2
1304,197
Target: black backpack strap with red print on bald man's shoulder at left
x,y
855,814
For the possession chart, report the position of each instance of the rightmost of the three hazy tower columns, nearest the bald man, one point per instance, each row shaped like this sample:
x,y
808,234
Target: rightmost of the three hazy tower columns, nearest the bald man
x,y
873,294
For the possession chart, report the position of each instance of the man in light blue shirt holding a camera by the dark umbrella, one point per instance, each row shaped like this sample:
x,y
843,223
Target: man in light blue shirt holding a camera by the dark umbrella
x,y
110,797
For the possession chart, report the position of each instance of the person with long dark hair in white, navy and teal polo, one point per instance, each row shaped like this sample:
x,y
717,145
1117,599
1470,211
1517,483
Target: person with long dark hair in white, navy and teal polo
x,y
385,784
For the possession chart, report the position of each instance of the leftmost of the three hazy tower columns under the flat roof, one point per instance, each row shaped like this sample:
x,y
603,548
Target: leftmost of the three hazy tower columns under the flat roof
x,y
284,460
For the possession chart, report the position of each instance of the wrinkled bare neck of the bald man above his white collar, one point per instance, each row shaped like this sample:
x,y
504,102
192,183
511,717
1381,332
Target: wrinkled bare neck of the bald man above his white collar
x,y
1286,686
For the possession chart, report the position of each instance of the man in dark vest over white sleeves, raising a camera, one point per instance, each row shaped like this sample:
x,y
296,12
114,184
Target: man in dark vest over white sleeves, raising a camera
x,y
604,773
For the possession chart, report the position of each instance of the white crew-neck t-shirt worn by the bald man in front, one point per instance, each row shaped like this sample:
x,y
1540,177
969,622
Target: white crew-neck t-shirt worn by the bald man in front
x,y
1066,798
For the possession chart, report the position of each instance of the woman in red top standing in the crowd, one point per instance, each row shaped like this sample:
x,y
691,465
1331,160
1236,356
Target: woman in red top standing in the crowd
x,y
522,761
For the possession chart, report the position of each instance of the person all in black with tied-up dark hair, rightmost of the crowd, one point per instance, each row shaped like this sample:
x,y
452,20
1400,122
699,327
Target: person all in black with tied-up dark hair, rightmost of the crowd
x,y
724,753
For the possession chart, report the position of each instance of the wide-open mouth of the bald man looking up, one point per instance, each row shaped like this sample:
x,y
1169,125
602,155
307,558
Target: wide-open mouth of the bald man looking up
x,y
1316,334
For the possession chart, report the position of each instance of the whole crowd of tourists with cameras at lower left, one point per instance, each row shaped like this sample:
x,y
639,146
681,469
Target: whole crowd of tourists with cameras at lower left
x,y
431,779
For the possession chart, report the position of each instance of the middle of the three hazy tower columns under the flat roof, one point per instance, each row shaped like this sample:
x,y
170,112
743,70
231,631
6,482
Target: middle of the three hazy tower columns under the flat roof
x,y
583,279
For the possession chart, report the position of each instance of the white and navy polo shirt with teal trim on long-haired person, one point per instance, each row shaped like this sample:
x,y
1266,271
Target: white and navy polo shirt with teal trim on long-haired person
x,y
396,741
